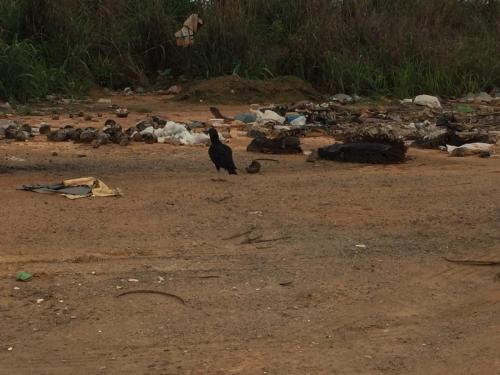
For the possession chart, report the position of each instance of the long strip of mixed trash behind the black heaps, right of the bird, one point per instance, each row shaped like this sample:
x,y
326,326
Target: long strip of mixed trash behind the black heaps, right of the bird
x,y
424,122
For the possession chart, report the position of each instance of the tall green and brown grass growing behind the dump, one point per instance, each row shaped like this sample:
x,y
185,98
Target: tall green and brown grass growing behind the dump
x,y
390,47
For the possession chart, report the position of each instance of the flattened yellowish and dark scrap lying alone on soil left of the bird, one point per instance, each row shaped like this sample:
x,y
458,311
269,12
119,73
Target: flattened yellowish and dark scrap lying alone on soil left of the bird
x,y
74,188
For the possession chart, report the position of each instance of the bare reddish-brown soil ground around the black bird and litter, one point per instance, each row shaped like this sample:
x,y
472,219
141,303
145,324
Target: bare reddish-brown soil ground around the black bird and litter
x,y
352,279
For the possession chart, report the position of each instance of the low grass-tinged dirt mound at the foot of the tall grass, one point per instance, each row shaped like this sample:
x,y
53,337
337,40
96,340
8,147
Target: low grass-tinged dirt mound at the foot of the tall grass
x,y
233,89
